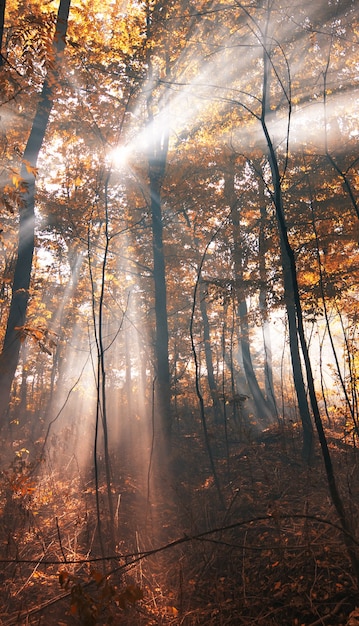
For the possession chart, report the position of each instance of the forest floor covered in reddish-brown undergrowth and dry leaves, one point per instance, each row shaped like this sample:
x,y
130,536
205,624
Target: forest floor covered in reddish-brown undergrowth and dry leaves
x,y
260,545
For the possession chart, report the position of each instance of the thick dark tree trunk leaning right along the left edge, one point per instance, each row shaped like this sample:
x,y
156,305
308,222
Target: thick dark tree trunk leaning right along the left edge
x,y
20,289
